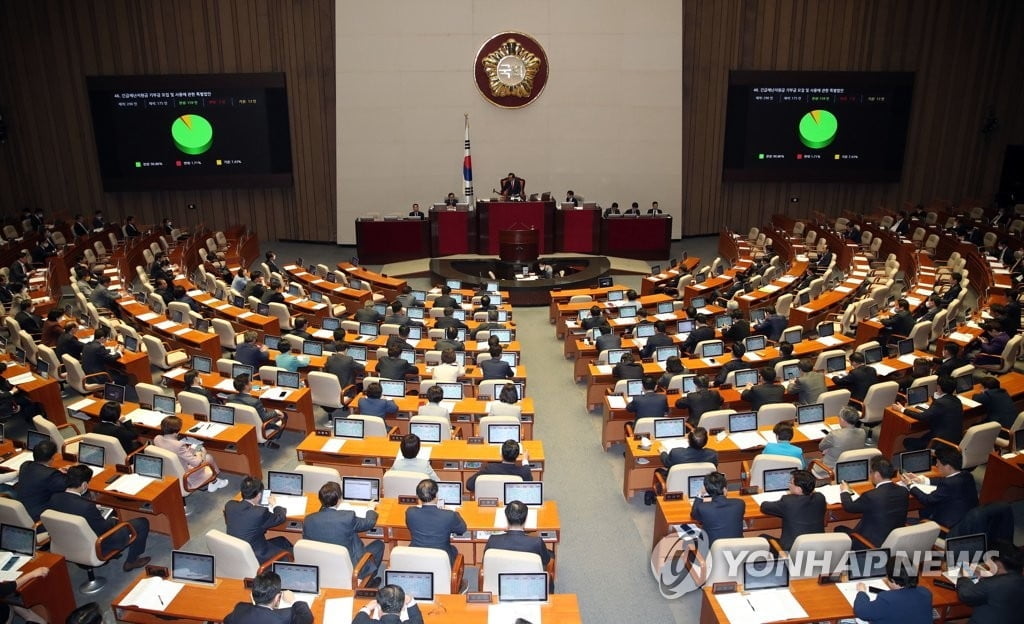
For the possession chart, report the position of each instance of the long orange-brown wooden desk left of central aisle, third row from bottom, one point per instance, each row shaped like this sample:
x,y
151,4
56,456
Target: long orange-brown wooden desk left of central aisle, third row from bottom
x,y
452,460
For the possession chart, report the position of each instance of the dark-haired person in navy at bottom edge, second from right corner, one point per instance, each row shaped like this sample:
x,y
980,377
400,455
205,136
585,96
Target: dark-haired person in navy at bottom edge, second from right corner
x,y
906,603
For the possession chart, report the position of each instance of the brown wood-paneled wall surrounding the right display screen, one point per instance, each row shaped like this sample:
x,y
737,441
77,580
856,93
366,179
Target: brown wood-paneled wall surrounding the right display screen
x,y
968,60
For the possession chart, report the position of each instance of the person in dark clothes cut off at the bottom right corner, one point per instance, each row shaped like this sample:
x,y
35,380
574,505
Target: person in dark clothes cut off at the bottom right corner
x,y
996,599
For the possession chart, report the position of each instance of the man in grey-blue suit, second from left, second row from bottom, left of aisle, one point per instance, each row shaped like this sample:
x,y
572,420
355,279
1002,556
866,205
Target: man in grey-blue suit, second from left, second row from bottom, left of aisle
x,y
343,527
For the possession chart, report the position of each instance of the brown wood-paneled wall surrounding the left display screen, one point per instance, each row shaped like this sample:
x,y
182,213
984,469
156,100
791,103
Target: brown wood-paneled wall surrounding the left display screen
x,y
49,47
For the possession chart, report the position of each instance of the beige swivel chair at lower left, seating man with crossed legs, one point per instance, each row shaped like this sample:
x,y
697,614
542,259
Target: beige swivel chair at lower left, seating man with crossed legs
x,y
72,538
